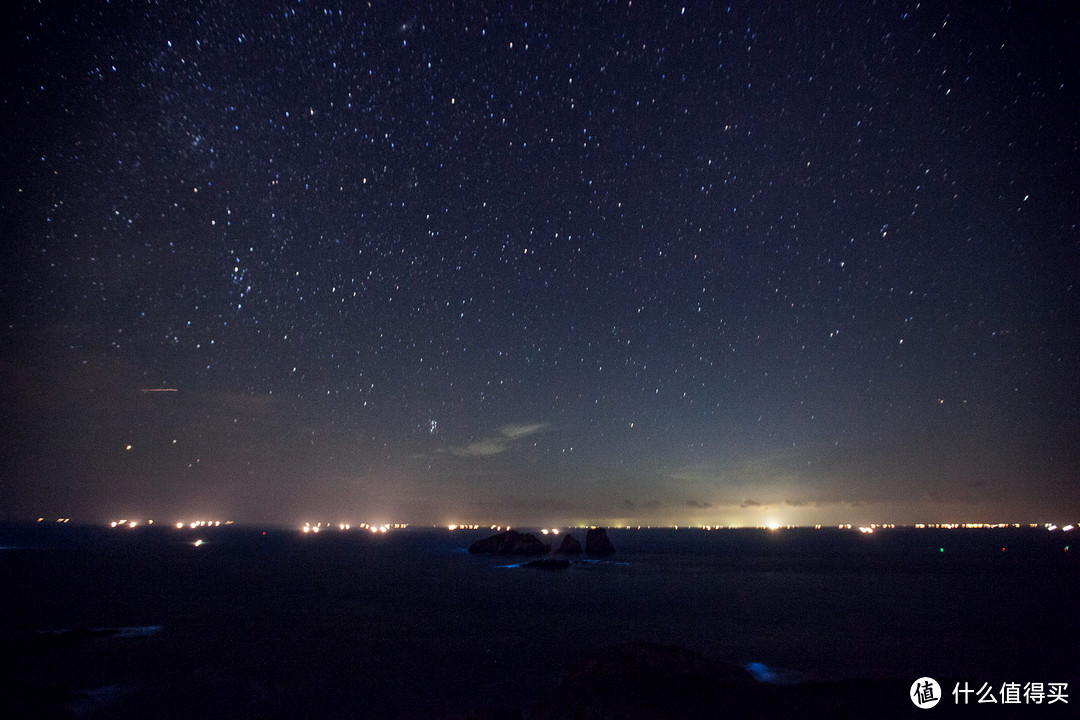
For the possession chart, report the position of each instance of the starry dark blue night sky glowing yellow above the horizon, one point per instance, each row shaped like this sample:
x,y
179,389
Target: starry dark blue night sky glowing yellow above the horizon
x,y
553,263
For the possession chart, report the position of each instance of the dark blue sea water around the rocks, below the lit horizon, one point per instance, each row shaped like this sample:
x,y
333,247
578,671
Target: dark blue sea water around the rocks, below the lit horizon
x,y
106,623
